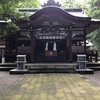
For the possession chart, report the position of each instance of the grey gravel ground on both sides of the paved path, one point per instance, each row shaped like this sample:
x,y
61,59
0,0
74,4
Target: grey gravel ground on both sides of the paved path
x,y
7,80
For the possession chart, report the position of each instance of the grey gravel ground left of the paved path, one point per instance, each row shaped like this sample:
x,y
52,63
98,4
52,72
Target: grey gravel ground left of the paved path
x,y
7,80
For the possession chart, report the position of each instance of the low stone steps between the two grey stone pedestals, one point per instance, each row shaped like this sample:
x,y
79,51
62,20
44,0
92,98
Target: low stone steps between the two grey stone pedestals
x,y
51,68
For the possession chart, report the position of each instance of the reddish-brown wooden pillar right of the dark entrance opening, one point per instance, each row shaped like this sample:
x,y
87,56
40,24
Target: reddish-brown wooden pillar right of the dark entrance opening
x,y
70,44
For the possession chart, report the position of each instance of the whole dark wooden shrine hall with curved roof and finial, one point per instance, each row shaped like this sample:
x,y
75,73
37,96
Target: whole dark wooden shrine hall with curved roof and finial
x,y
51,34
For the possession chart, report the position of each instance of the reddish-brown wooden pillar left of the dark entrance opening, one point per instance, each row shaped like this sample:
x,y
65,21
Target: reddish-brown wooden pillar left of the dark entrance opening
x,y
32,54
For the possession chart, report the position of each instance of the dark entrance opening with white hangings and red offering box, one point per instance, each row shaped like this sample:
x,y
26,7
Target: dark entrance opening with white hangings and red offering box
x,y
51,51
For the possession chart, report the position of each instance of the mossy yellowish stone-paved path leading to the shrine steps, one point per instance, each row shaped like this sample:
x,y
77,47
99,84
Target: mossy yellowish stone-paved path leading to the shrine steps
x,y
52,87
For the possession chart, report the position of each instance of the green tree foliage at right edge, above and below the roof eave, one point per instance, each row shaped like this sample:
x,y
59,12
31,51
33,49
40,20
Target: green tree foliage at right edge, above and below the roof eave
x,y
94,11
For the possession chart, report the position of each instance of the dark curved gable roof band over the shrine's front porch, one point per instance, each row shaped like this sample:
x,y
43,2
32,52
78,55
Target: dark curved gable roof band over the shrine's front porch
x,y
59,12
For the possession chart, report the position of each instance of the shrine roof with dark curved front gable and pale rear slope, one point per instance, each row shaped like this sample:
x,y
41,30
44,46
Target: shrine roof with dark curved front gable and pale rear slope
x,y
69,16
